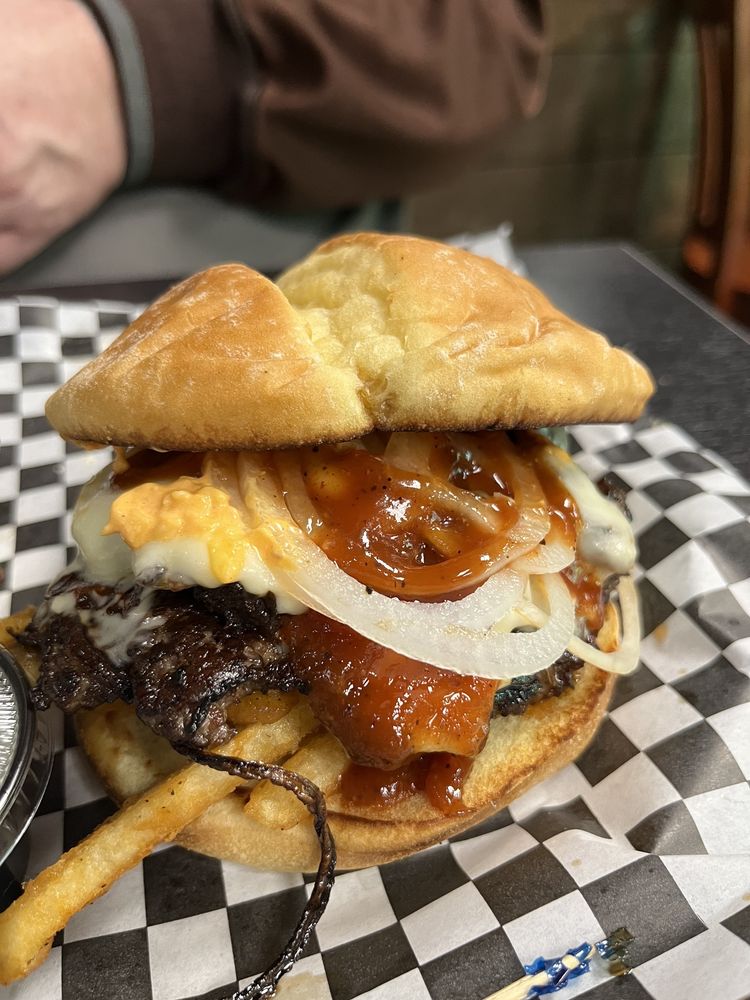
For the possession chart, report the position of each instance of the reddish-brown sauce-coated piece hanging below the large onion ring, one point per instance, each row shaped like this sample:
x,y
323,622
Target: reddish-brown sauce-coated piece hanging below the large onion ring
x,y
407,726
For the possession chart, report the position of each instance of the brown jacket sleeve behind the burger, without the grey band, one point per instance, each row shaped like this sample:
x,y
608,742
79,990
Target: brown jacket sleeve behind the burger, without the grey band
x,y
324,103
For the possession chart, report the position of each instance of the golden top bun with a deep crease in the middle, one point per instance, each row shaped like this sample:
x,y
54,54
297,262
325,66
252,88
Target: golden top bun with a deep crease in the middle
x,y
369,332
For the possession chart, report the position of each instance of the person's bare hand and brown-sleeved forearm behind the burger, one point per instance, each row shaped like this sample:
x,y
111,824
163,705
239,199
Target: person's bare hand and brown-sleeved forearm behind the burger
x,y
287,103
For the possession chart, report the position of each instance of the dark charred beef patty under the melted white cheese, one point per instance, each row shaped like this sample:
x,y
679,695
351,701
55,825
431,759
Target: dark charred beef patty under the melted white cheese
x,y
189,656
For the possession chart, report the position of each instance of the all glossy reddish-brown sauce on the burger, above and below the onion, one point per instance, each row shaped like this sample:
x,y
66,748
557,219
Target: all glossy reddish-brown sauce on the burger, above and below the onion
x,y
406,725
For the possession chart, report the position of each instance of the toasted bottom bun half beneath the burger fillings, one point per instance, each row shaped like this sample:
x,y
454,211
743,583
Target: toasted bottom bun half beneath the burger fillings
x,y
520,751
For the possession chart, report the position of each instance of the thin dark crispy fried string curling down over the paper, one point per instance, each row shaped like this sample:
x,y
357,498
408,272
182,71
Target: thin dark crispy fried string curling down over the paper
x,y
313,800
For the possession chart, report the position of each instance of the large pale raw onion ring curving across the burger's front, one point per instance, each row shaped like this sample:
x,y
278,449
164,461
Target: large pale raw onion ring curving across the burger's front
x,y
470,636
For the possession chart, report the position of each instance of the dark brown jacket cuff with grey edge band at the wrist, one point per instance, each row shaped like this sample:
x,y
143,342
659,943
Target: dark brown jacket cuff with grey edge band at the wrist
x,y
184,95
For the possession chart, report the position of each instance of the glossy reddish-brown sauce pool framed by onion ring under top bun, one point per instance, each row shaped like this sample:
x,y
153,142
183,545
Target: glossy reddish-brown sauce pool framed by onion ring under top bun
x,y
402,533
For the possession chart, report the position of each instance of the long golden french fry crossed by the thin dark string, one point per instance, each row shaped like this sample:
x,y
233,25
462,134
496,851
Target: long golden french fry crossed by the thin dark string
x,y
85,872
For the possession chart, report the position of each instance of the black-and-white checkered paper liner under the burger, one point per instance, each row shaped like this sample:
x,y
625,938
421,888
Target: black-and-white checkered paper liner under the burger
x,y
650,828
